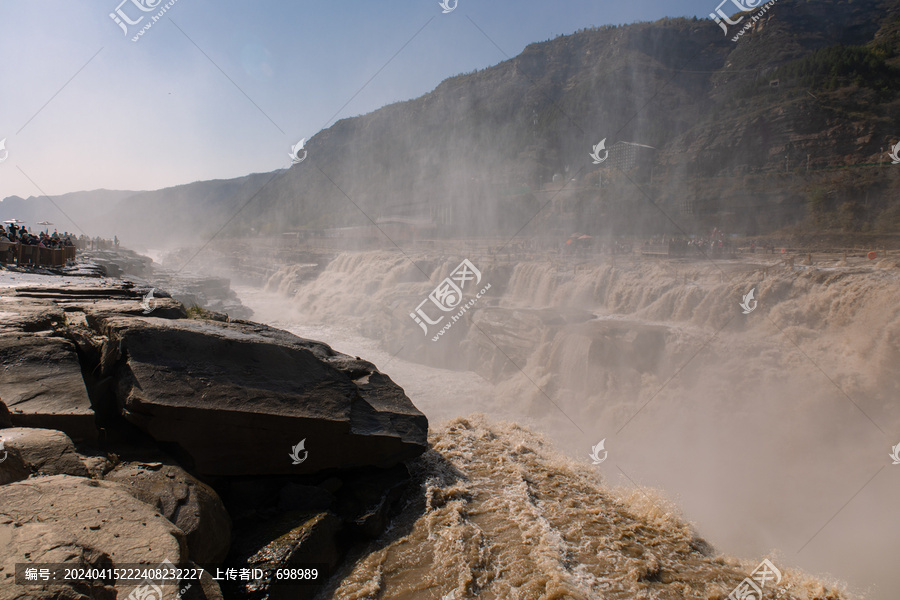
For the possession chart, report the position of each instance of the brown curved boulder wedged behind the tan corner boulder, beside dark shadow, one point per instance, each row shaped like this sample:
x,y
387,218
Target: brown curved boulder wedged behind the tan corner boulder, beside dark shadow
x,y
187,502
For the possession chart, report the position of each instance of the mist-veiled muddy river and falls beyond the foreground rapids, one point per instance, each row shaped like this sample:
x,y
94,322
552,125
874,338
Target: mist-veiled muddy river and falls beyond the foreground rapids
x,y
770,430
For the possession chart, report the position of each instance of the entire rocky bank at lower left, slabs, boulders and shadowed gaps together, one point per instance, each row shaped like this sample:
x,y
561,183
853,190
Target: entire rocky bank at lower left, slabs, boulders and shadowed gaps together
x,y
135,434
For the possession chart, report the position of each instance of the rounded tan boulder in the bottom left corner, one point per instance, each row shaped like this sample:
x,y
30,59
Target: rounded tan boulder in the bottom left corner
x,y
94,519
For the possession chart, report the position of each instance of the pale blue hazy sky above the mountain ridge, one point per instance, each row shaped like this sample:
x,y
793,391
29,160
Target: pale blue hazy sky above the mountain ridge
x,y
219,89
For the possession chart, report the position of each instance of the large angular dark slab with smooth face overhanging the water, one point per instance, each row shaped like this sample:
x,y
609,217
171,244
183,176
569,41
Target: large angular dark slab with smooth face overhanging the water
x,y
237,398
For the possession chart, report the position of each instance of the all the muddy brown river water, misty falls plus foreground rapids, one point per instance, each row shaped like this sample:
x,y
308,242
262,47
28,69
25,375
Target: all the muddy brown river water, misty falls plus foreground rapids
x,y
770,431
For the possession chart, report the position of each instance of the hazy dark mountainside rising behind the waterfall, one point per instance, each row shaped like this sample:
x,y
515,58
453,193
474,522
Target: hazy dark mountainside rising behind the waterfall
x,y
790,125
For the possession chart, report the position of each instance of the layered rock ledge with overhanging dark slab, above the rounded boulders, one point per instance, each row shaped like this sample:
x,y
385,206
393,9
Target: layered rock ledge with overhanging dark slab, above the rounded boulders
x,y
226,398
